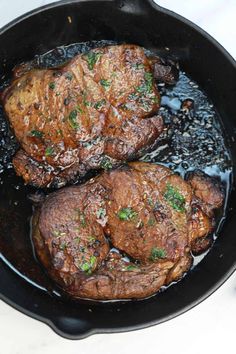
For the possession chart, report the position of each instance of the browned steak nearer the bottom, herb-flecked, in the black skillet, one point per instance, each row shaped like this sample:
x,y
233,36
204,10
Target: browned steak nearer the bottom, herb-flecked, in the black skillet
x,y
145,210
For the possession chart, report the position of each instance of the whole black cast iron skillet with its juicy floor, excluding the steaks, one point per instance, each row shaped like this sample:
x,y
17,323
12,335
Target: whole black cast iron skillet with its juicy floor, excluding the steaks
x,y
22,282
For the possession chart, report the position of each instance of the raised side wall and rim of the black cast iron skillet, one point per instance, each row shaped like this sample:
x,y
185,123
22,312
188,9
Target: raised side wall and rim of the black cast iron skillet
x,y
144,23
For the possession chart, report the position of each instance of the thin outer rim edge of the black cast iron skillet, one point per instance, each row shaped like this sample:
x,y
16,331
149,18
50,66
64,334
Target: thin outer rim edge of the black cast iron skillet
x,y
98,330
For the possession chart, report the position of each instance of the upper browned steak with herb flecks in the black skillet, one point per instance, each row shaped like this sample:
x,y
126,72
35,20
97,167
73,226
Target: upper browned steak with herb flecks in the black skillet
x,y
100,104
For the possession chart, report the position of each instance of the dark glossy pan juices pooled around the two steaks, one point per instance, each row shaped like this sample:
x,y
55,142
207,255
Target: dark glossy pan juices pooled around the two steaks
x,y
193,139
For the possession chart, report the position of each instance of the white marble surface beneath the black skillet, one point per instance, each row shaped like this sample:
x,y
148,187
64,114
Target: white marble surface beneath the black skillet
x,y
209,327
